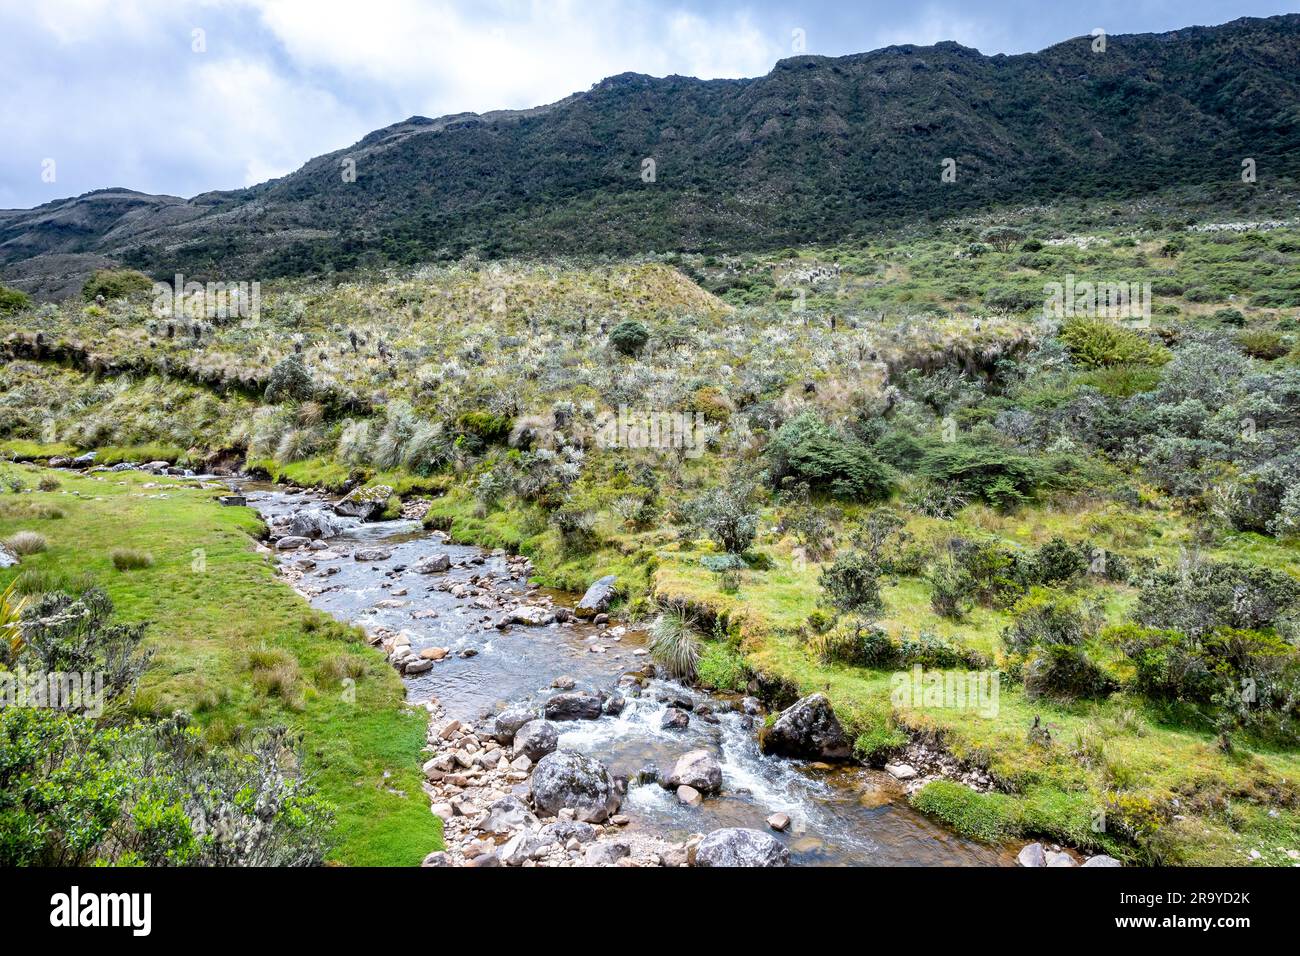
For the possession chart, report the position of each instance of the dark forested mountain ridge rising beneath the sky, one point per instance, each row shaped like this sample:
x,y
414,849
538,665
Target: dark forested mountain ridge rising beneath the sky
x,y
820,149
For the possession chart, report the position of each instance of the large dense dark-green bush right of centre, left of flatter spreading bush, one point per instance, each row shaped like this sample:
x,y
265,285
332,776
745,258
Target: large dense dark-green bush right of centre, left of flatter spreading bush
x,y
811,452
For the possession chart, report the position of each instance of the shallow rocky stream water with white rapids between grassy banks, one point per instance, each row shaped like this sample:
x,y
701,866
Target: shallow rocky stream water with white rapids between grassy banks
x,y
843,816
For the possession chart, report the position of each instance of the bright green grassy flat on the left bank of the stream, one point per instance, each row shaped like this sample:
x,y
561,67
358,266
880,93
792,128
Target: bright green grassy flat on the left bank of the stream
x,y
365,754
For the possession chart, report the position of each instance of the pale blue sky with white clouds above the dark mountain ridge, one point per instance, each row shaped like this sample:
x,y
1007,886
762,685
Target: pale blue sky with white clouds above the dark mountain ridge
x,y
183,97
